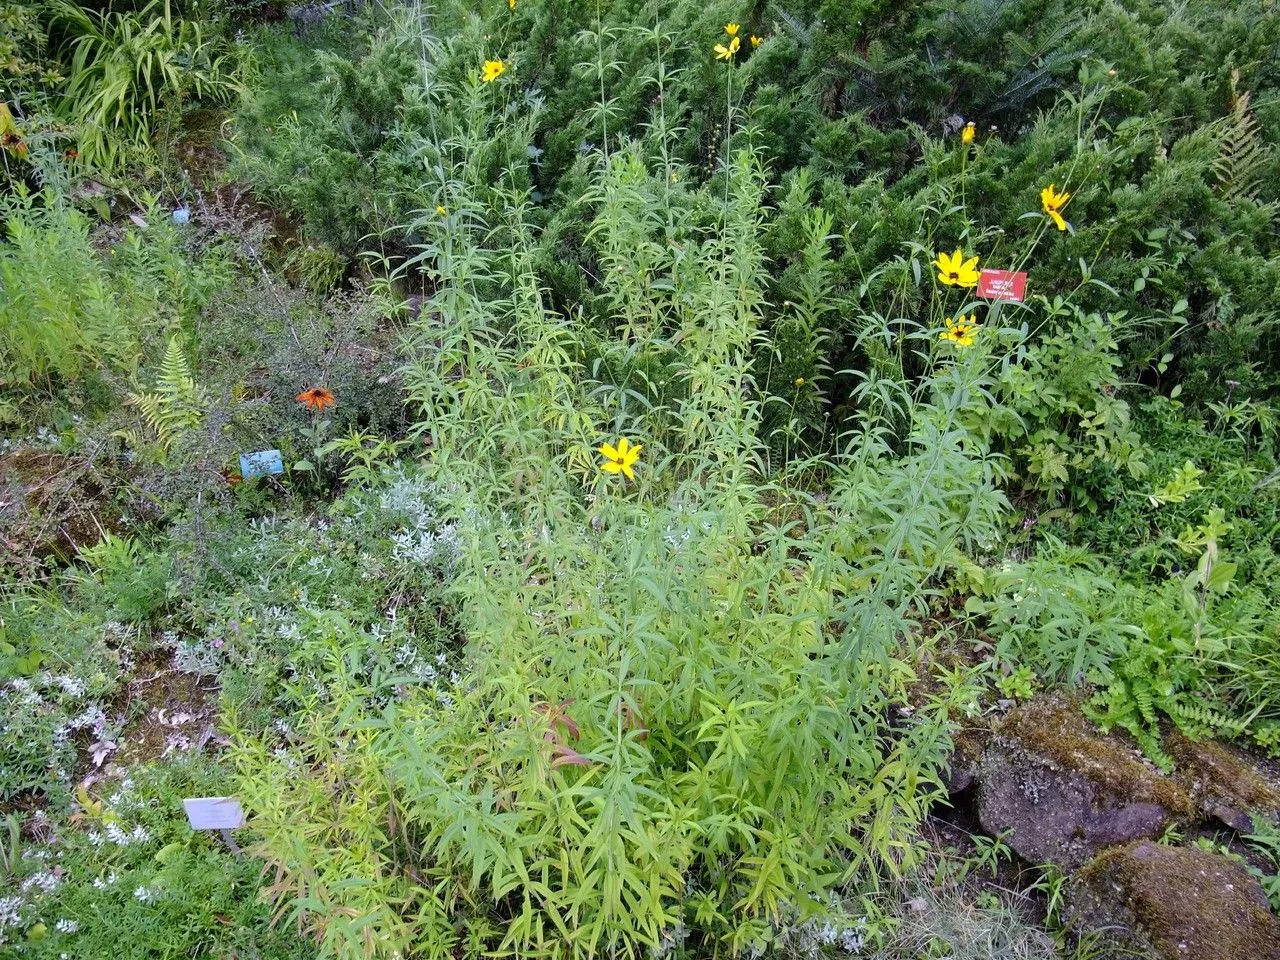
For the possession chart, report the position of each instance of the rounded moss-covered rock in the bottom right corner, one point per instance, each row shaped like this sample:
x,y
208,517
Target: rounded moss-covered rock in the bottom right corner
x,y
1176,903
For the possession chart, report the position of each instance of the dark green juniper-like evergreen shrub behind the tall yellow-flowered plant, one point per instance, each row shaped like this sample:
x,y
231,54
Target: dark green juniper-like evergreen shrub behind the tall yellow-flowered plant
x,y
1159,237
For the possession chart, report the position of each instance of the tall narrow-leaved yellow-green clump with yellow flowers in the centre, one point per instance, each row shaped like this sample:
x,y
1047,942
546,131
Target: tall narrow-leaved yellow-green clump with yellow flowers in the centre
x,y
660,725
